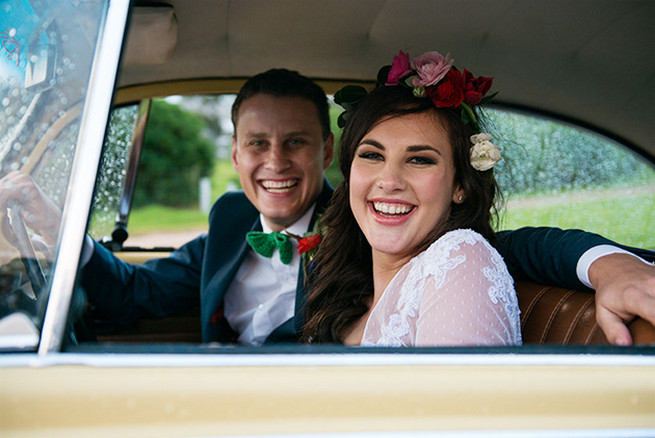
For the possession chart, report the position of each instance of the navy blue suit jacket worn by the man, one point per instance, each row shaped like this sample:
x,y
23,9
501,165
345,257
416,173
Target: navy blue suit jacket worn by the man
x,y
200,272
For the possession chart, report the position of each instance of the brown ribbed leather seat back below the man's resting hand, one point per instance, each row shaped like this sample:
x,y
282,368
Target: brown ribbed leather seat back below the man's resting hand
x,y
553,315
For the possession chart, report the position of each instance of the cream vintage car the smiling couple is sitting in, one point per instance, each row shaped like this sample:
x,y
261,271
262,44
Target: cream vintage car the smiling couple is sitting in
x,y
70,71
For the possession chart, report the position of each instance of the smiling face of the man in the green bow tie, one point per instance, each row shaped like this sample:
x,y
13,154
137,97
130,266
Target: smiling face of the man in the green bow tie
x,y
280,154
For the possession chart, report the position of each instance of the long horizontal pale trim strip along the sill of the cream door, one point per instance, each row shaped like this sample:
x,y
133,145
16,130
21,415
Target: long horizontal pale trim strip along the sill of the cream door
x,y
122,360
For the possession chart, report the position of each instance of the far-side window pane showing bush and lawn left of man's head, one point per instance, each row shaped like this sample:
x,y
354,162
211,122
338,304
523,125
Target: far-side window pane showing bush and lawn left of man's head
x,y
184,166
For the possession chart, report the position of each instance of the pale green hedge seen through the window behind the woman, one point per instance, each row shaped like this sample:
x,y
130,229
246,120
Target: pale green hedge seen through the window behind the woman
x,y
542,156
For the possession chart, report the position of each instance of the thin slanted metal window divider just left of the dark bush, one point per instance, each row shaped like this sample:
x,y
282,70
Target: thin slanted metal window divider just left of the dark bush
x,y
133,162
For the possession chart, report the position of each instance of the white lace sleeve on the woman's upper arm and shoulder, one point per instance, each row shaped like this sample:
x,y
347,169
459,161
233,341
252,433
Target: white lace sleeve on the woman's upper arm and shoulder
x,y
468,296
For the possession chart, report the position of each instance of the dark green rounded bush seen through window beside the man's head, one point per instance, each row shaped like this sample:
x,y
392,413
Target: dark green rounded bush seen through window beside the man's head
x,y
174,157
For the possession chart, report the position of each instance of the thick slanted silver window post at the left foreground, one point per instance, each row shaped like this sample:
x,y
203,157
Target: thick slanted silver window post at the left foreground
x,y
85,167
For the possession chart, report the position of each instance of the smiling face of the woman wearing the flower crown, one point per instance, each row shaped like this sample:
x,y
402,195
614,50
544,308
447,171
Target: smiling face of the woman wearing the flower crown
x,y
402,182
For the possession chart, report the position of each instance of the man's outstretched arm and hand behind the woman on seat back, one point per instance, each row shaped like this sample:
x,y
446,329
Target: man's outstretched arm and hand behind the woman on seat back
x,y
624,284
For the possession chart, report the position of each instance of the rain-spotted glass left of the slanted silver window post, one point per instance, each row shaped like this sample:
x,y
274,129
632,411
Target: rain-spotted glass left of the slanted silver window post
x,y
46,53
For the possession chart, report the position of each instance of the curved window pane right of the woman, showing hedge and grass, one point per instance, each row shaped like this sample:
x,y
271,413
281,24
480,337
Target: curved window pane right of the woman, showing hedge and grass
x,y
558,175
